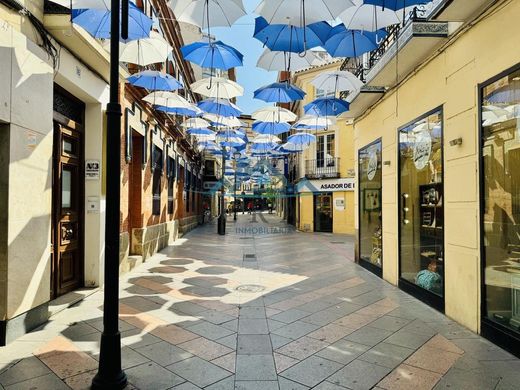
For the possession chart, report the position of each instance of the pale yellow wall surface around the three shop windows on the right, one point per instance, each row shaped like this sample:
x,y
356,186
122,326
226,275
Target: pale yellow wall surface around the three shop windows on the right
x,y
449,80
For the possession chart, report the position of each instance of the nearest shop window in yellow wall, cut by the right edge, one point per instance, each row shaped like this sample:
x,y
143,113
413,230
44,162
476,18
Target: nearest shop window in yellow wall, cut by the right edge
x,y
500,155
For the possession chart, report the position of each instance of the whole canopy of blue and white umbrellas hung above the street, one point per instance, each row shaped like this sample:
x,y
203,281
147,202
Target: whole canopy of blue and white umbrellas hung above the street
x,y
296,34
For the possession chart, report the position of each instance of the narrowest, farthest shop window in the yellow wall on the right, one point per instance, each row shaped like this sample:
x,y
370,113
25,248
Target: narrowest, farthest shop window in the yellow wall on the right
x,y
370,216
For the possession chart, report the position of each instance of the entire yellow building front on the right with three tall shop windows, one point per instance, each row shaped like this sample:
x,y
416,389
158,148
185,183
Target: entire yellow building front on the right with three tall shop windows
x,y
436,205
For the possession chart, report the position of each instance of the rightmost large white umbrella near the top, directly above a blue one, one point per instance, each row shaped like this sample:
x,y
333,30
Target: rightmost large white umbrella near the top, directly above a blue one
x,y
369,17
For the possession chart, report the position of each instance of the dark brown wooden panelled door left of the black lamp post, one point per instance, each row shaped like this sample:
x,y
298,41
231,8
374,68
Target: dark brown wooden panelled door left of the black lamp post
x,y
67,227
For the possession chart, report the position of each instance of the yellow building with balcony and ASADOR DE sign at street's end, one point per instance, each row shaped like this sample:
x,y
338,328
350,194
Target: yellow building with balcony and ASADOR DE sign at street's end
x,y
325,189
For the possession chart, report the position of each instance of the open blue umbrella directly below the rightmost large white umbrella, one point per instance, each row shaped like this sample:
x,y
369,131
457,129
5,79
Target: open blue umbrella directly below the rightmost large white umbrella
x,y
352,43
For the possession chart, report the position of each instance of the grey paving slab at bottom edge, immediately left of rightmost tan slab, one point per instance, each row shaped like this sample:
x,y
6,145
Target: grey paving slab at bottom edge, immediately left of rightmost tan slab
x,y
359,375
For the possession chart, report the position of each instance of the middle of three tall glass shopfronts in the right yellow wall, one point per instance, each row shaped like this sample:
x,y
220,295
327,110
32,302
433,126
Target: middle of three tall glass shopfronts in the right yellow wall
x,y
421,211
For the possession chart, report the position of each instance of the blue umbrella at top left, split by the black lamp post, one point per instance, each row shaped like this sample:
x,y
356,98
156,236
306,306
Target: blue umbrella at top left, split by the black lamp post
x,y
97,22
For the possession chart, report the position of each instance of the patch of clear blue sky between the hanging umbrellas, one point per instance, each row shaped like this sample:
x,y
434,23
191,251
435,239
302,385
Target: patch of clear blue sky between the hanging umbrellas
x,y
240,36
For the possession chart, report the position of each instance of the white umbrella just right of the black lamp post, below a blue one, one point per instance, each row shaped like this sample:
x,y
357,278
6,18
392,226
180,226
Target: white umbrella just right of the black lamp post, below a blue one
x,y
145,51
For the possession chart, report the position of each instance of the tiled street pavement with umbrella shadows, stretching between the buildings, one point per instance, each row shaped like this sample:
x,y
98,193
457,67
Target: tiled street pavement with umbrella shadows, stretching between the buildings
x,y
261,308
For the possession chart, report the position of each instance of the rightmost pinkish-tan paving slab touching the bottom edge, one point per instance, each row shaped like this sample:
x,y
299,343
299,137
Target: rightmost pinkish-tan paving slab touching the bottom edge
x,y
407,377
